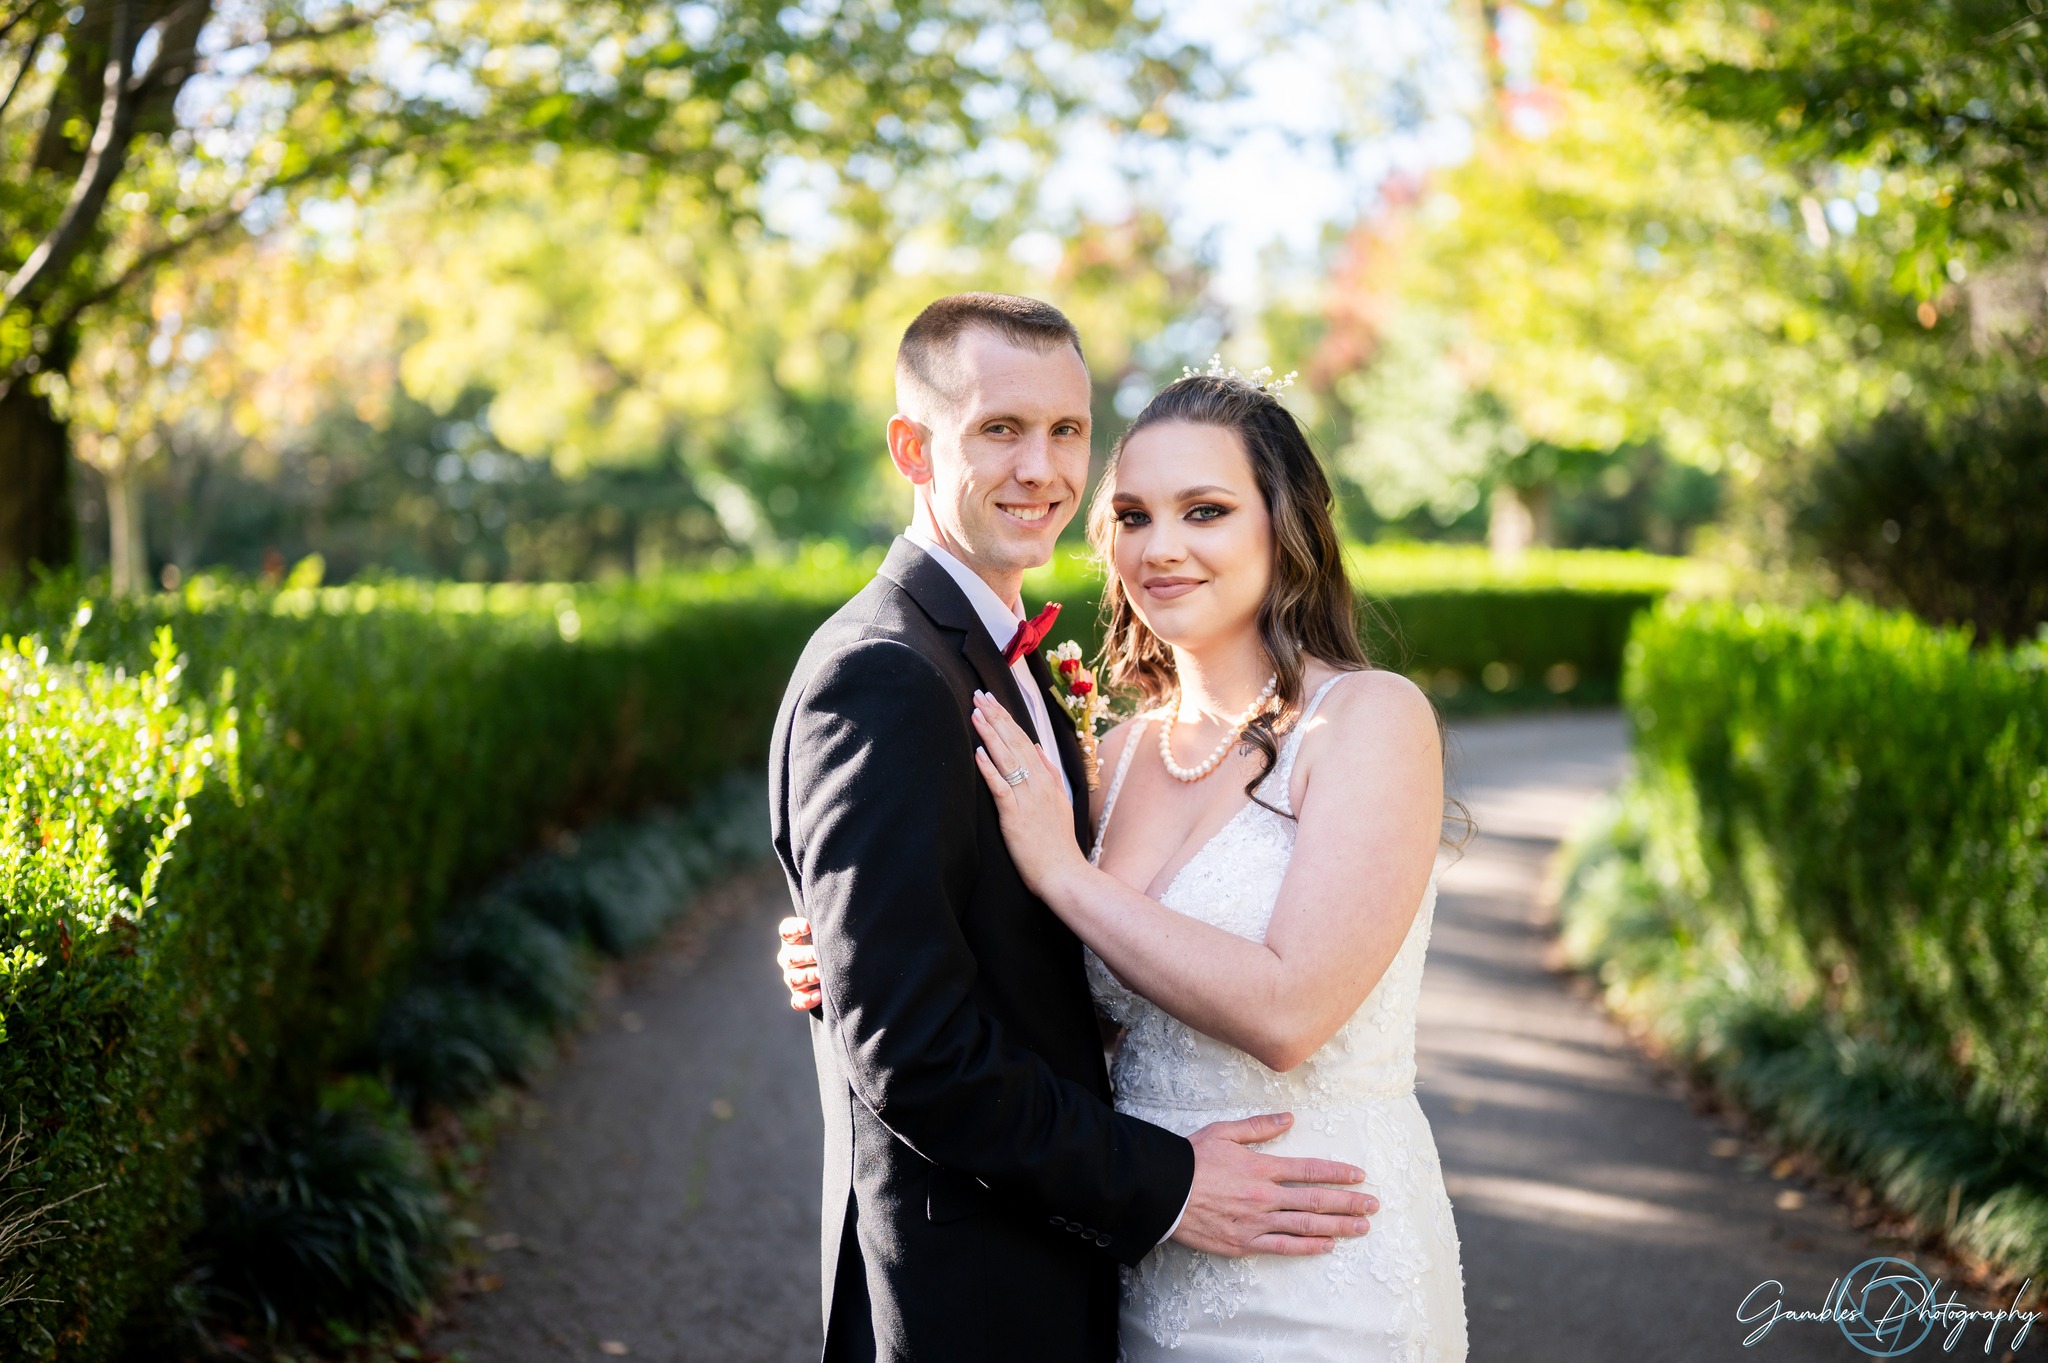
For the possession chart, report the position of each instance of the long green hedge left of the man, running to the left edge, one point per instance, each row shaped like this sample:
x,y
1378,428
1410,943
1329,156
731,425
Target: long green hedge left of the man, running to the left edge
x,y
396,746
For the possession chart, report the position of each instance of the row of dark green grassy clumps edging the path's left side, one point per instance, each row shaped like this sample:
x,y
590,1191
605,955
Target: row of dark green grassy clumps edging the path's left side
x,y
318,1221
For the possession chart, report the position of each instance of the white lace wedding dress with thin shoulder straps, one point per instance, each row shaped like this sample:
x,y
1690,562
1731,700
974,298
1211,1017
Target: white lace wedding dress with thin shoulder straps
x,y
1392,1296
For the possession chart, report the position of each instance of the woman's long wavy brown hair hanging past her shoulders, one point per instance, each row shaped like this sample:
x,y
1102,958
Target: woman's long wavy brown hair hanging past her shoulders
x,y
1308,611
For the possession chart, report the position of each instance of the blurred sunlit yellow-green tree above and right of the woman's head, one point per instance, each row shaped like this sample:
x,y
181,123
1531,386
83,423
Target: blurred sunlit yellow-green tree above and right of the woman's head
x,y
1615,267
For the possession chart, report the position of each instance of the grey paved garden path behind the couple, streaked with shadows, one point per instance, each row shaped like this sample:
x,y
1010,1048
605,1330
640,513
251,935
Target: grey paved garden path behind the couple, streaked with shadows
x,y
663,1200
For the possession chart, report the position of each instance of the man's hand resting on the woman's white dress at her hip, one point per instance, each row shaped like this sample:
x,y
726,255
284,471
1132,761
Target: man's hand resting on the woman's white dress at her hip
x,y
1263,1204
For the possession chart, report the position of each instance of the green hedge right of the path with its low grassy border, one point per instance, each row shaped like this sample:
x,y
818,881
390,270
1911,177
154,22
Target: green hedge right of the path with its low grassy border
x,y
1828,885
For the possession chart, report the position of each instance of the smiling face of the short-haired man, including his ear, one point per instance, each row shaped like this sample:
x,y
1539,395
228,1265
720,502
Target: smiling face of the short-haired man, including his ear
x,y
1002,453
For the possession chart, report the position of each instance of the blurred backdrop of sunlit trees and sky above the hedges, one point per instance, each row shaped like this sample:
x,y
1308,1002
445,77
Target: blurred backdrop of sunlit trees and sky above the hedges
x,y
534,292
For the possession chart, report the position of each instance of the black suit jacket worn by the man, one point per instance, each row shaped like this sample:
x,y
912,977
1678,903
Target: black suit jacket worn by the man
x,y
980,1188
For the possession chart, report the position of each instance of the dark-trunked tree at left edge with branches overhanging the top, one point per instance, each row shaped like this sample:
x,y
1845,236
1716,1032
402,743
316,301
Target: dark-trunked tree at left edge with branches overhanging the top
x,y
103,179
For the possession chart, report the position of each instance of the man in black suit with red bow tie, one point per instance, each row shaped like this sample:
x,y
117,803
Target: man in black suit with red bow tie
x,y
980,1188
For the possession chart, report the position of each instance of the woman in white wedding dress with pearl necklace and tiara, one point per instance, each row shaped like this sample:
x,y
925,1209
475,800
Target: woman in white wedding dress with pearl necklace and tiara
x,y
1261,891
